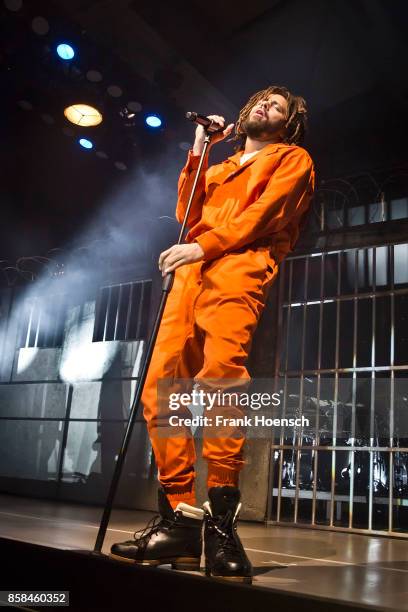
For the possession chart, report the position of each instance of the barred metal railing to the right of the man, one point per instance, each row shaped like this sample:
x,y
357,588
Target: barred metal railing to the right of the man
x,y
343,323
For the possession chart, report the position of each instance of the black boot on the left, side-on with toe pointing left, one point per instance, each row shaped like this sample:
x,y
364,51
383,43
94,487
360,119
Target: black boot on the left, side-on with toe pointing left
x,y
173,537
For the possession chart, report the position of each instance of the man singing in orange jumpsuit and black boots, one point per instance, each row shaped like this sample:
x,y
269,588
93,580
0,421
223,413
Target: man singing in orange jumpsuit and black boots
x,y
244,219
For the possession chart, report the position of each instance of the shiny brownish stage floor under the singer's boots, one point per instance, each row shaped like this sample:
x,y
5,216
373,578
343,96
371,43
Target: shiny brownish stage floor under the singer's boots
x,y
346,567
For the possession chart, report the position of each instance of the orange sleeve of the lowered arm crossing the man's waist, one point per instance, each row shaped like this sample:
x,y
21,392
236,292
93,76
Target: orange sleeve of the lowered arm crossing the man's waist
x,y
287,193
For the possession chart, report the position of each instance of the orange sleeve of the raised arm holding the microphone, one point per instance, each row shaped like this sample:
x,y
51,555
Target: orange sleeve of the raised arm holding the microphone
x,y
185,185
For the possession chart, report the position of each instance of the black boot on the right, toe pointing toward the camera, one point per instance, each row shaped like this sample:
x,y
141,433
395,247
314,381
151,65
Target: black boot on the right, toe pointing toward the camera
x,y
225,556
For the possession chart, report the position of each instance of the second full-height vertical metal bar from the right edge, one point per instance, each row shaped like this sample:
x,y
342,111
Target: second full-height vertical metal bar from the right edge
x,y
372,394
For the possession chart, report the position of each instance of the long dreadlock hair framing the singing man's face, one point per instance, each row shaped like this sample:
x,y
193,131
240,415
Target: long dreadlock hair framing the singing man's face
x,y
296,117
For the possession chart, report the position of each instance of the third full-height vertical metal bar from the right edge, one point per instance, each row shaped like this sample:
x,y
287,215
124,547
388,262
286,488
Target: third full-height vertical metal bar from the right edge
x,y
354,383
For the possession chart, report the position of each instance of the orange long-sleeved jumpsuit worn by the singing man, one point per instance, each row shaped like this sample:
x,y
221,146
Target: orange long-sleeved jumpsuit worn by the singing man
x,y
246,218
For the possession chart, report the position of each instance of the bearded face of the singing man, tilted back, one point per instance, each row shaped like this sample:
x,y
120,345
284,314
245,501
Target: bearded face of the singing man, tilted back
x,y
267,118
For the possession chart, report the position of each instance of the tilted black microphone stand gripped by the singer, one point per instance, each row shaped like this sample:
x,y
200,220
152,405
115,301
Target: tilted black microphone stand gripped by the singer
x,y
166,288
